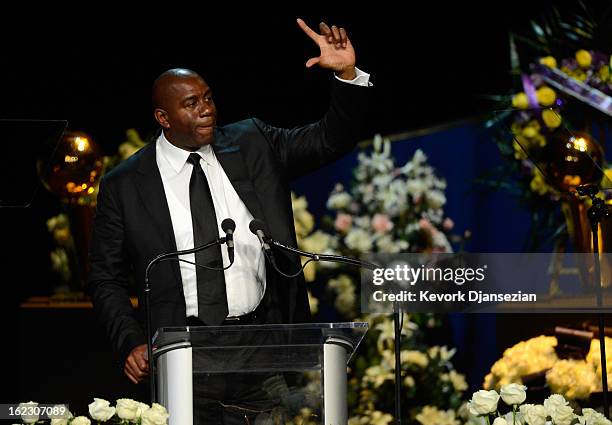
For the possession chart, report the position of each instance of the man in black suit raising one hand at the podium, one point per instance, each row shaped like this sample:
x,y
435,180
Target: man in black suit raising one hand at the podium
x,y
144,205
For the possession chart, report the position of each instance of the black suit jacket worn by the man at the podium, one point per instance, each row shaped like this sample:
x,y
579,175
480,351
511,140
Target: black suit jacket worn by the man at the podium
x,y
133,225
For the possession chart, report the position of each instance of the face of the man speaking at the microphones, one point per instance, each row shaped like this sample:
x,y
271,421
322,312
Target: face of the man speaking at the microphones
x,y
188,115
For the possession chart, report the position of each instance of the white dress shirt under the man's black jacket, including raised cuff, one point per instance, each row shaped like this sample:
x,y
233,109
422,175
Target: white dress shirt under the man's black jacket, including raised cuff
x,y
245,281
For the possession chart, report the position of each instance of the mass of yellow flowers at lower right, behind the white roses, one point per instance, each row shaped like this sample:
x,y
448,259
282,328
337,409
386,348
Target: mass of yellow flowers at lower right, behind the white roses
x,y
575,379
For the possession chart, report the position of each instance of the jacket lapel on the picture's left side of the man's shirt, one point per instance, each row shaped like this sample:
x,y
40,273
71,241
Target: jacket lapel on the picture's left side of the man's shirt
x,y
151,190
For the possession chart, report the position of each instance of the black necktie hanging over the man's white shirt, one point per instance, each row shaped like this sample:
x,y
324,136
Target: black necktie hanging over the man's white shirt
x,y
212,298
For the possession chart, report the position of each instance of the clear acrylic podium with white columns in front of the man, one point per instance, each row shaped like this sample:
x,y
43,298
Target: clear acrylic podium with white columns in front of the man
x,y
298,369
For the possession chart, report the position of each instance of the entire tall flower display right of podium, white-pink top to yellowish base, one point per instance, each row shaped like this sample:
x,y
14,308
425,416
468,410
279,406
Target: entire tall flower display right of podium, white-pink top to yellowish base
x,y
386,209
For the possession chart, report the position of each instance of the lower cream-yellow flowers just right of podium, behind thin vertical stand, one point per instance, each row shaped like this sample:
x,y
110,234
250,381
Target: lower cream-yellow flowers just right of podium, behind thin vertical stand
x,y
431,387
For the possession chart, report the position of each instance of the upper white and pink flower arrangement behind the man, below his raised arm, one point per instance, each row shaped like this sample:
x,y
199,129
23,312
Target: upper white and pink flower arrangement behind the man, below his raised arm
x,y
388,209
